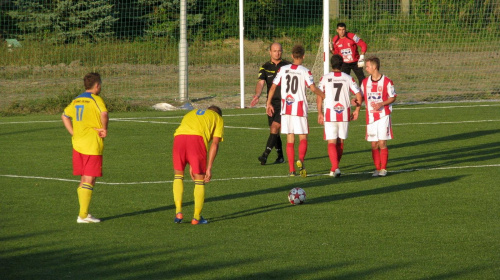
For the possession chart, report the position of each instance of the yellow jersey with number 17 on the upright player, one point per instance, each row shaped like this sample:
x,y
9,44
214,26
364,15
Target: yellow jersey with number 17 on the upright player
x,y
85,114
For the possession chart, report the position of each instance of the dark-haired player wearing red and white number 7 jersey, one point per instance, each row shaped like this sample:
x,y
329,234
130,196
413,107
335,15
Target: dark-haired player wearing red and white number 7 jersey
x,y
337,110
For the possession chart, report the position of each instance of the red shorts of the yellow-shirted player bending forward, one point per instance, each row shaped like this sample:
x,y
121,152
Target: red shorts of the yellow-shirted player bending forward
x,y
190,149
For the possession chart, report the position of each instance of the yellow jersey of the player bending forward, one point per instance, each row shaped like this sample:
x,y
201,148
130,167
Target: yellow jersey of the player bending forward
x,y
205,123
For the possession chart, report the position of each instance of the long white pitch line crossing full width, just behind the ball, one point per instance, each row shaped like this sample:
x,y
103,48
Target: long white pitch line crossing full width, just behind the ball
x,y
257,177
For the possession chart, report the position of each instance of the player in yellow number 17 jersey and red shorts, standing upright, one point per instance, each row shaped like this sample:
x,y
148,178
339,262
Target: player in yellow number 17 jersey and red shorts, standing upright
x,y
86,119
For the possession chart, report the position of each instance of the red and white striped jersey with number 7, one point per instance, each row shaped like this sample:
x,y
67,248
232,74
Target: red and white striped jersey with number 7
x,y
337,103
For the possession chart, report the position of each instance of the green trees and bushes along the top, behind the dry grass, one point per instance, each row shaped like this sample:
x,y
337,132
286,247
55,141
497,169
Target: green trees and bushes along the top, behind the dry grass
x,y
69,21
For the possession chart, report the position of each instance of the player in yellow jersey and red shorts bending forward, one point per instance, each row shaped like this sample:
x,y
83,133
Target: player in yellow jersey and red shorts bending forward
x,y
191,141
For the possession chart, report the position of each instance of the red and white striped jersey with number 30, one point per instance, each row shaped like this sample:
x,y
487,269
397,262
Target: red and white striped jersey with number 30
x,y
294,79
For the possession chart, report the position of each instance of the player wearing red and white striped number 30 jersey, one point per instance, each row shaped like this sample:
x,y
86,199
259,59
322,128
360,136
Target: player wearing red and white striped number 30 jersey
x,y
294,79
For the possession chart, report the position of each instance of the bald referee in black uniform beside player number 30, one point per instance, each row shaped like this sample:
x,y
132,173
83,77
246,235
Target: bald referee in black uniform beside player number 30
x,y
266,76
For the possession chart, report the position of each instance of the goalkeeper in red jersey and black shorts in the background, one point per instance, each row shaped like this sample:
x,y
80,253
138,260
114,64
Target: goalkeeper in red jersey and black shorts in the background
x,y
346,44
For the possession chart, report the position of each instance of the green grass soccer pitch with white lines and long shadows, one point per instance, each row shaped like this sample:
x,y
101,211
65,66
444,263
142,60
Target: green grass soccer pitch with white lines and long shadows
x,y
435,216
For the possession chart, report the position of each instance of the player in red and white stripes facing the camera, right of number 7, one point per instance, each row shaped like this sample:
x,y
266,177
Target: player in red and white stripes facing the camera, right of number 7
x,y
379,94
